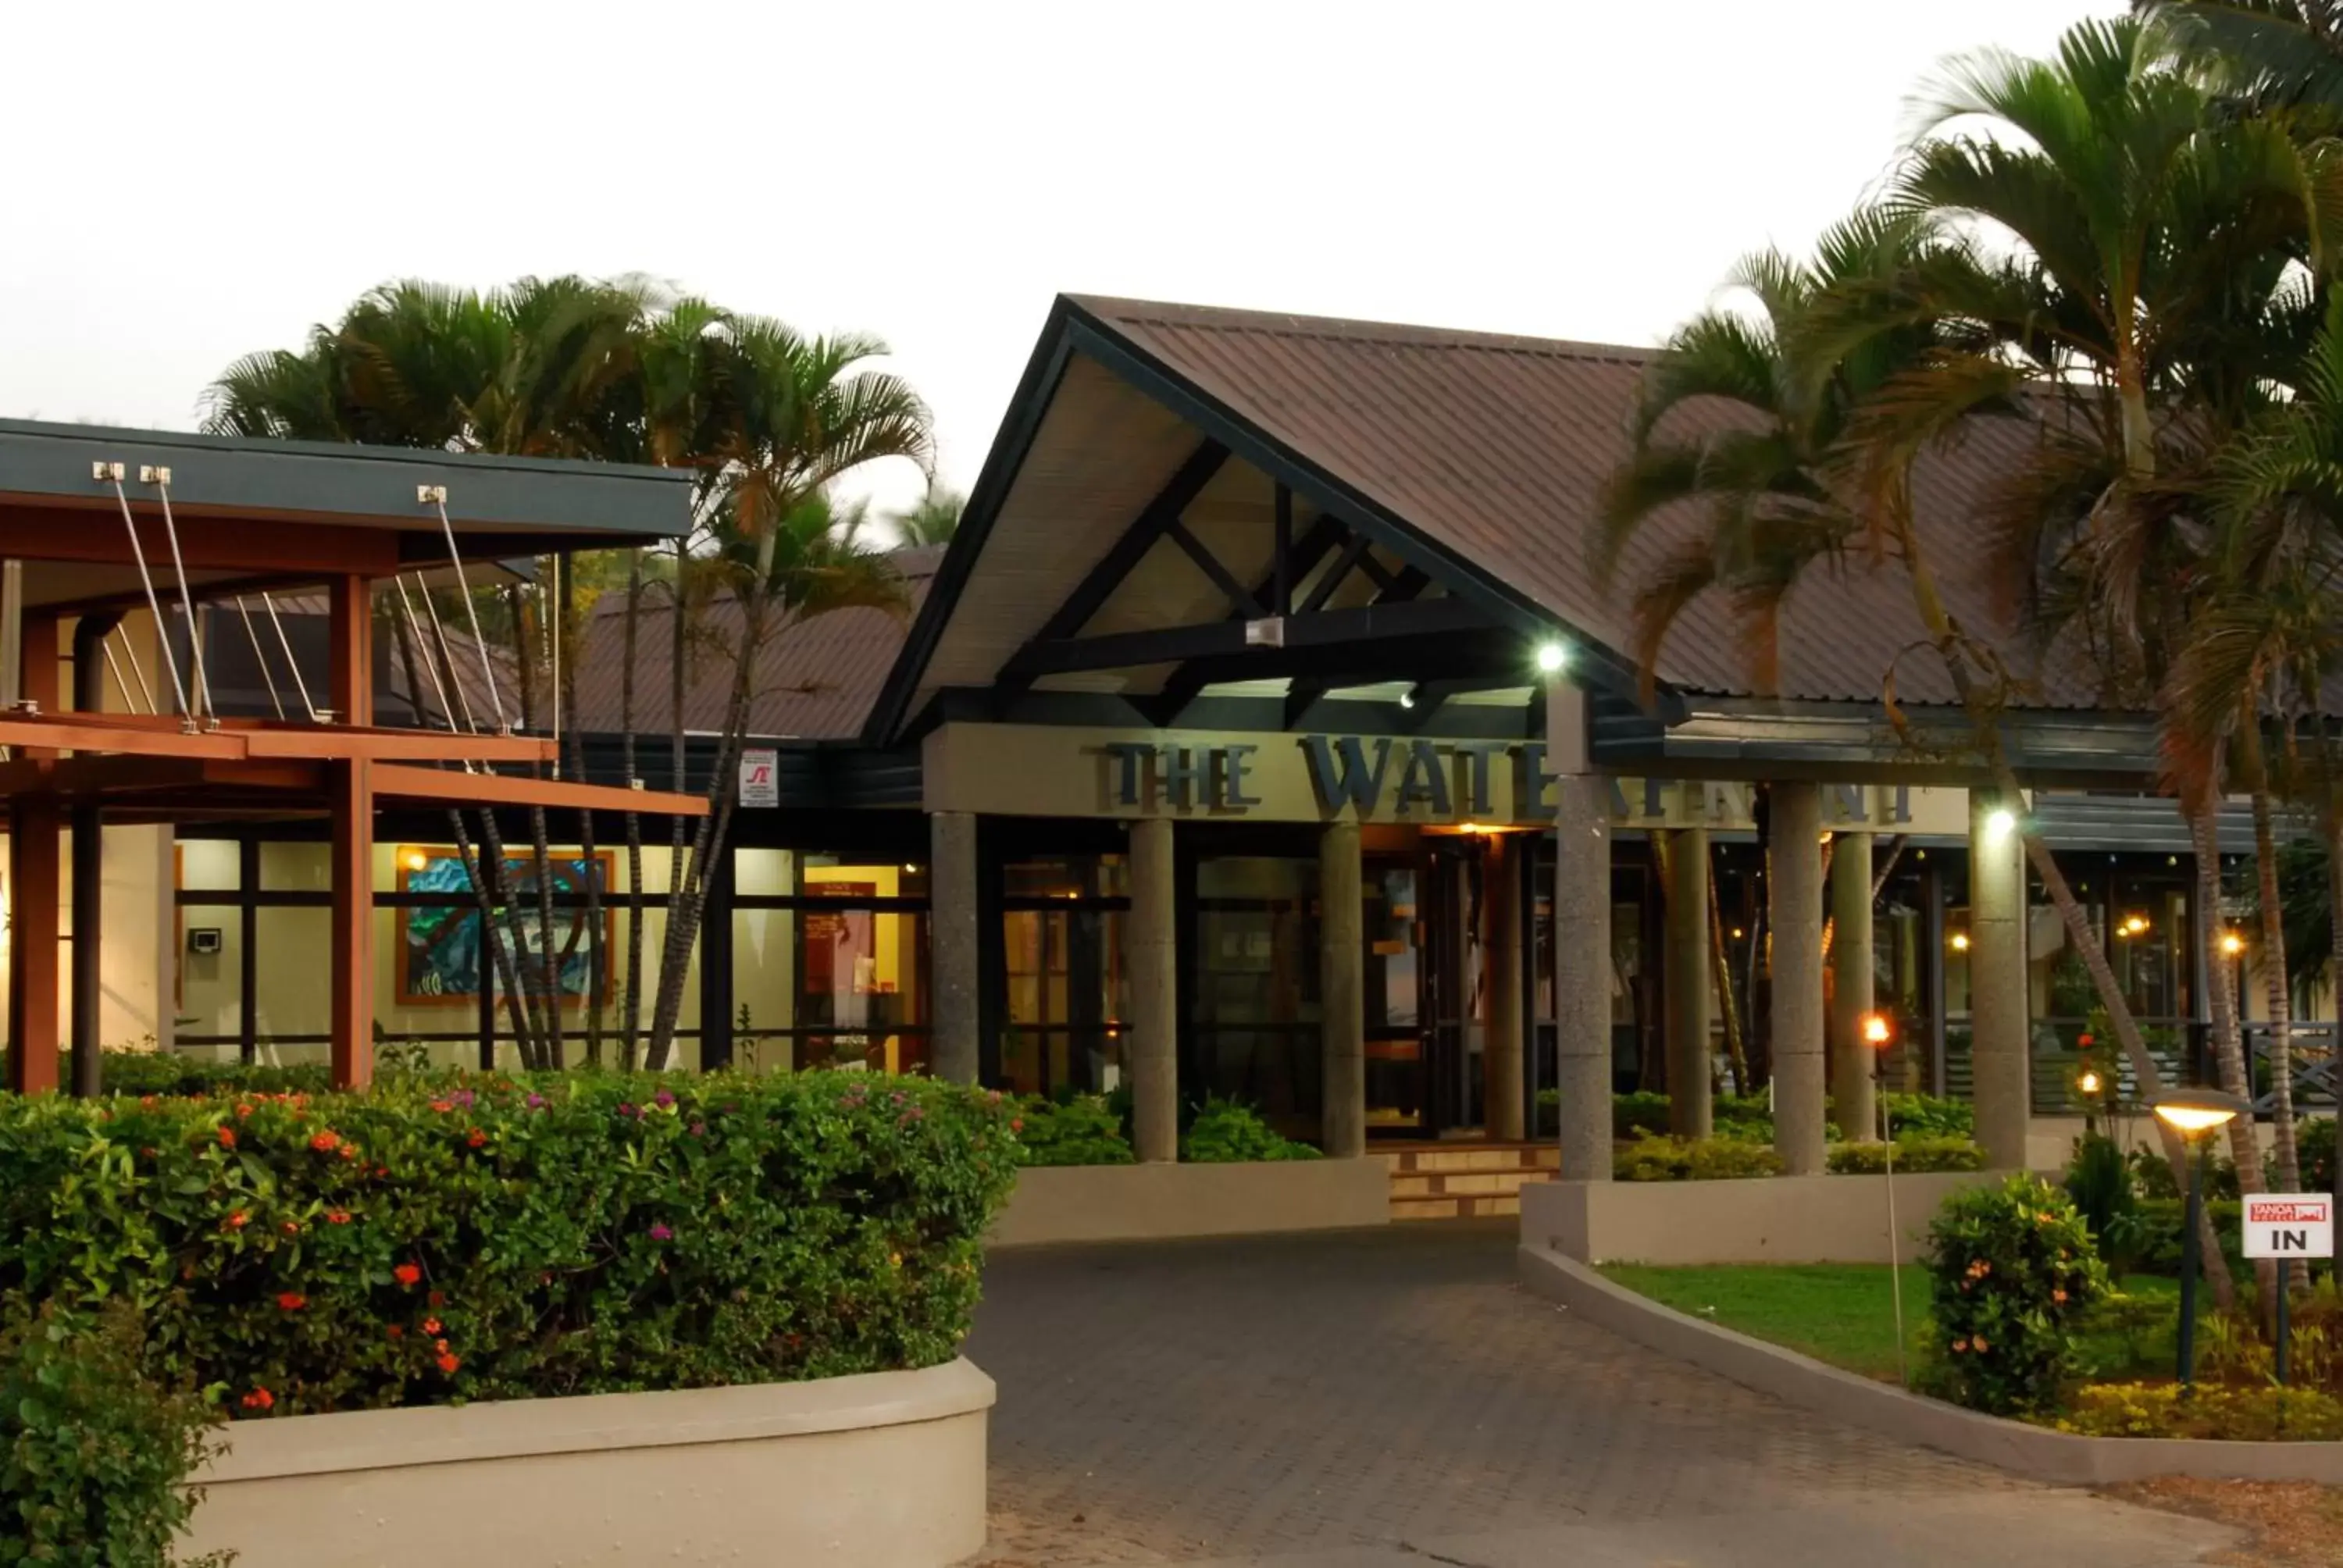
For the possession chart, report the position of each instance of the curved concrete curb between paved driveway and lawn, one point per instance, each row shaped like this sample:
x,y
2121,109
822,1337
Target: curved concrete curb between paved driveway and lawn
x,y
1911,1419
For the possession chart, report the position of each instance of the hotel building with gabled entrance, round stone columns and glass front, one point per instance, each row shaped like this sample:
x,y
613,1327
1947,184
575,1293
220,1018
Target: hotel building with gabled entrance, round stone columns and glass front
x,y
1269,735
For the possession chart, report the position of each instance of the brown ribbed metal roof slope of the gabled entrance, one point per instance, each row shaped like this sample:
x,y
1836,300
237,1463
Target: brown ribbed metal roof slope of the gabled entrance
x,y
1496,449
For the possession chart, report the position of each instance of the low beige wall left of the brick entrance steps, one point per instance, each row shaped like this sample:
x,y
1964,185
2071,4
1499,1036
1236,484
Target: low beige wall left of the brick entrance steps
x,y
1128,1204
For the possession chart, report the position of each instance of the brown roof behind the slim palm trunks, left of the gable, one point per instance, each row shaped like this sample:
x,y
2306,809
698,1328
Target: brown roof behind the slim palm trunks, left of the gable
x,y
814,681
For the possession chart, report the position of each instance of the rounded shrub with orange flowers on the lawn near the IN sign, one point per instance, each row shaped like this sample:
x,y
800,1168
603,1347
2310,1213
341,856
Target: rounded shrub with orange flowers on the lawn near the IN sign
x,y
2014,1274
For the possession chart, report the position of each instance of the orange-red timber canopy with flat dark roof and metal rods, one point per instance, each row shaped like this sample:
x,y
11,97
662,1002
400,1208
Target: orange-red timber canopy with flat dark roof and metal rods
x,y
100,524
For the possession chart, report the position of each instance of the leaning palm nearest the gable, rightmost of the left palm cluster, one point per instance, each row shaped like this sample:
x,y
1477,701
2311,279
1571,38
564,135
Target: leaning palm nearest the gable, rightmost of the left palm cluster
x,y
793,416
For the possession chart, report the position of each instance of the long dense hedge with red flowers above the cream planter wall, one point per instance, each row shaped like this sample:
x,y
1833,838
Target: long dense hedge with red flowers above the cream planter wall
x,y
503,1239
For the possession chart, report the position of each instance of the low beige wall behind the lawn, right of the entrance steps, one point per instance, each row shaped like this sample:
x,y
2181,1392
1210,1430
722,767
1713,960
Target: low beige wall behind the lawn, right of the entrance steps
x,y
1758,1220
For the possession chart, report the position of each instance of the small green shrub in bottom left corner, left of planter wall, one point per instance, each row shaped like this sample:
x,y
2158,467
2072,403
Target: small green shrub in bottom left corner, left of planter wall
x,y
93,1457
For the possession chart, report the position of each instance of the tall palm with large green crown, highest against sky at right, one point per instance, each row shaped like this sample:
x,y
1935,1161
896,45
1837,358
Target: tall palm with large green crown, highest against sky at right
x,y
2115,254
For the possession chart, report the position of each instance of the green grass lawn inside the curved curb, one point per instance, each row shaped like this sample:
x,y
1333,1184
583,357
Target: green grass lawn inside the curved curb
x,y
1843,1314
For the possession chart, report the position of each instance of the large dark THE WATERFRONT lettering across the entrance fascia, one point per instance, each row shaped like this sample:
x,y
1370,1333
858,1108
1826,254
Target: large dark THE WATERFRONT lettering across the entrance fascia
x,y
1433,782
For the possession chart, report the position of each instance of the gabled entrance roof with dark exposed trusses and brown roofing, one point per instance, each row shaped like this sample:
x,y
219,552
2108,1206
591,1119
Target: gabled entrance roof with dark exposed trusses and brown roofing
x,y
1222,519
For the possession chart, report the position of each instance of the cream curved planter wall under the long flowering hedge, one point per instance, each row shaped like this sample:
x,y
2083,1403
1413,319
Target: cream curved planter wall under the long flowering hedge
x,y
880,1468
